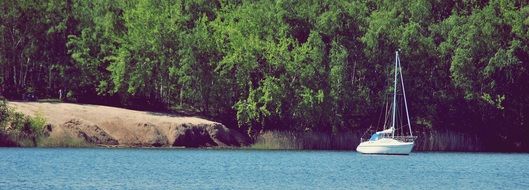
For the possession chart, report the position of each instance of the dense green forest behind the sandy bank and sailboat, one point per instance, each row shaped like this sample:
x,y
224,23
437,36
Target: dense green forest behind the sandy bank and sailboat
x,y
284,65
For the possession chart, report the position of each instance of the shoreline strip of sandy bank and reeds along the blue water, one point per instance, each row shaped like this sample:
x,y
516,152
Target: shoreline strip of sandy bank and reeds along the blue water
x,y
85,125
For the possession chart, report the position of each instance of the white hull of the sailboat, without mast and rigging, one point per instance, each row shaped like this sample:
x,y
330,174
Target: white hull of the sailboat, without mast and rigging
x,y
385,146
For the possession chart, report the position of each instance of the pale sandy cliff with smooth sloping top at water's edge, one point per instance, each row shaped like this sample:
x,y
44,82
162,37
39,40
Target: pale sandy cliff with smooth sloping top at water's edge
x,y
104,125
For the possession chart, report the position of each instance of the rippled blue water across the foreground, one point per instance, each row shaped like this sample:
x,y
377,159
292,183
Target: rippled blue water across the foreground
x,y
102,168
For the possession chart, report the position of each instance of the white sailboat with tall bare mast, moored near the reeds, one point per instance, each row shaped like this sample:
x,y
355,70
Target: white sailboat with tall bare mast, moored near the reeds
x,y
393,139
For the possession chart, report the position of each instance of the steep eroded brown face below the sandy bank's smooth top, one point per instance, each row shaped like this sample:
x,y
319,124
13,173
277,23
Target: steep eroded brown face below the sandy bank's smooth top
x,y
150,135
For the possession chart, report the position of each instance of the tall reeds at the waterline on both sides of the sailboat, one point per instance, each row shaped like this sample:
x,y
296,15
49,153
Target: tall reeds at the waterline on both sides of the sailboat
x,y
426,141
